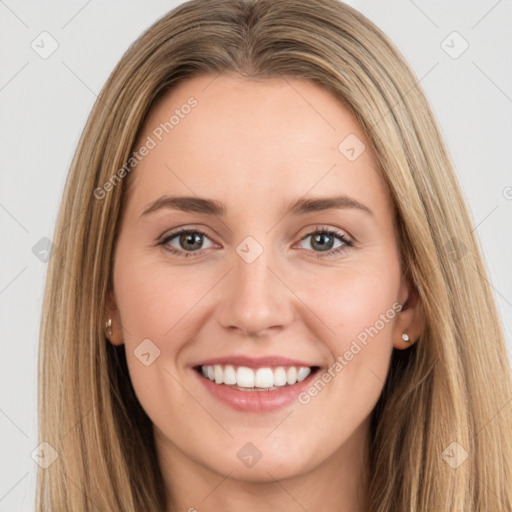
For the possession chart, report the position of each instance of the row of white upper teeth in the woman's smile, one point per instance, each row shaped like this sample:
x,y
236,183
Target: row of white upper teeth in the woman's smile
x,y
245,377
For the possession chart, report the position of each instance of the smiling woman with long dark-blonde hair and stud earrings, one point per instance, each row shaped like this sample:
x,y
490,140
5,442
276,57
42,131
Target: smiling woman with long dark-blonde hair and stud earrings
x,y
328,342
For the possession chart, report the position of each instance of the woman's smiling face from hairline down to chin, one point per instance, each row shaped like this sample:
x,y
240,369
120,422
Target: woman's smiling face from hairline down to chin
x,y
258,290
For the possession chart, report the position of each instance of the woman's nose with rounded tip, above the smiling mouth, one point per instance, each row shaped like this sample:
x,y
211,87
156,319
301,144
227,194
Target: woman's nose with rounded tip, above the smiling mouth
x,y
255,297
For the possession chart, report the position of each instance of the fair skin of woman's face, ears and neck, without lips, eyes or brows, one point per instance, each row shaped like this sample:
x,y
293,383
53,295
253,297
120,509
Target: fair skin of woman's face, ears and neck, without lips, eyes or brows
x,y
256,146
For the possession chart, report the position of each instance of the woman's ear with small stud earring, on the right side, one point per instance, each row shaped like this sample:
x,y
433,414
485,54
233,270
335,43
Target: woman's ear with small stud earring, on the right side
x,y
410,319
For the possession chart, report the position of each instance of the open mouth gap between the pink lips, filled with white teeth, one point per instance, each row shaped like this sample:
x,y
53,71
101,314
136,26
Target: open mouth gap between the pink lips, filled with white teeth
x,y
246,379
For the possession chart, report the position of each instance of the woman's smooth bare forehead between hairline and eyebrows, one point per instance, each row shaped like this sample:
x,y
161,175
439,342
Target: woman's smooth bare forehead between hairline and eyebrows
x,y
212,134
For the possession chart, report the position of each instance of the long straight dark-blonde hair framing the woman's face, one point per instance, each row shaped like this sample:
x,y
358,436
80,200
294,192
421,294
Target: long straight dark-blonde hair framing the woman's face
x,y
452,386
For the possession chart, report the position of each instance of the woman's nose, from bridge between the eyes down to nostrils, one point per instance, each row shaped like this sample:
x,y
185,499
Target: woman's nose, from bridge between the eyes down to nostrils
x,y
255,299
